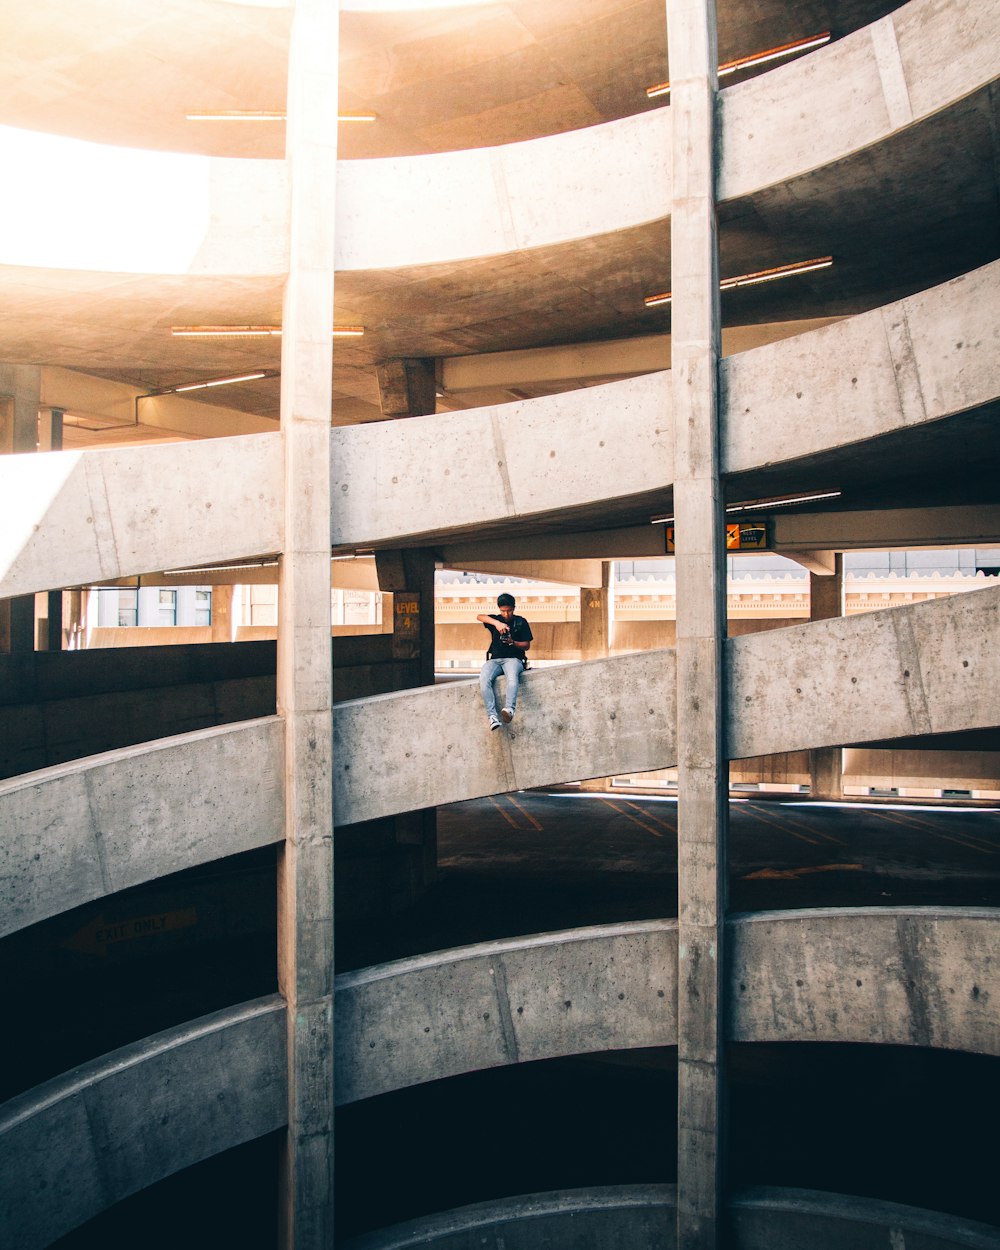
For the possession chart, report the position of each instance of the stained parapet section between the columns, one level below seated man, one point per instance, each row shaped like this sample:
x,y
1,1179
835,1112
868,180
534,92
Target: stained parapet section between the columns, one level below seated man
x,y
608,988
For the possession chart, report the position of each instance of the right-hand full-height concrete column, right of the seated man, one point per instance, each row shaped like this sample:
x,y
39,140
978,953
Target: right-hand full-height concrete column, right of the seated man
x,y
703,779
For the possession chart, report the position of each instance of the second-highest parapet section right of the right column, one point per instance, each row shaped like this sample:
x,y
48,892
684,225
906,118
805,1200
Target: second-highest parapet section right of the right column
x,y
917,361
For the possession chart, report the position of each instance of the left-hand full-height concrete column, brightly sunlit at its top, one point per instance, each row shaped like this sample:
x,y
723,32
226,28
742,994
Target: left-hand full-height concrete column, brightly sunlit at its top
x,y
306,872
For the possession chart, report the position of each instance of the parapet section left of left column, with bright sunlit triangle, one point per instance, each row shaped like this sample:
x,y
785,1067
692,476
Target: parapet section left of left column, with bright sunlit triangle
x,y
71,518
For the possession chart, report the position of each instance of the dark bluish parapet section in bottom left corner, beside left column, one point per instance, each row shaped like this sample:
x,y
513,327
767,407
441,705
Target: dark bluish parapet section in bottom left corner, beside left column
x,y
79,1144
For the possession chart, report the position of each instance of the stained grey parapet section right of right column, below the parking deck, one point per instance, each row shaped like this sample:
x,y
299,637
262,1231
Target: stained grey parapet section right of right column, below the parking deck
x,y
918,977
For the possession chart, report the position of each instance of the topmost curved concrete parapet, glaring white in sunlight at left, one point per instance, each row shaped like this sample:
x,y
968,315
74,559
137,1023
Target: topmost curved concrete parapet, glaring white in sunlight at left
x,y
442,208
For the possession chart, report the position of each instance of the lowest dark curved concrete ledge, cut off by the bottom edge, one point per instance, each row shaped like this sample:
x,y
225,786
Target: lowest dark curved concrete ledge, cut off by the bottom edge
x,y
642,1218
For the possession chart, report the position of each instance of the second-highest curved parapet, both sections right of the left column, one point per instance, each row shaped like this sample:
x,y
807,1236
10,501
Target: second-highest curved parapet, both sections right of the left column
x,y
917,361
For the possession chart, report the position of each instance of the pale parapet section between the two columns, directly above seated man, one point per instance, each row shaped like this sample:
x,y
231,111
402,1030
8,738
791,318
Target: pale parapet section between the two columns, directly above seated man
x,y
498,464
